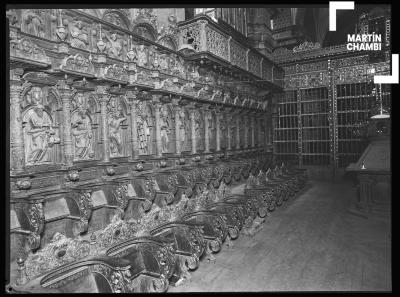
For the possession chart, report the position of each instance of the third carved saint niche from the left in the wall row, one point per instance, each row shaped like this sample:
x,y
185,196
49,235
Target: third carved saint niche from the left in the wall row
x,y
117,125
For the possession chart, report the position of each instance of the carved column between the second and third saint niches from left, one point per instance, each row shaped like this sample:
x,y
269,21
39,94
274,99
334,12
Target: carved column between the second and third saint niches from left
x,y
103,97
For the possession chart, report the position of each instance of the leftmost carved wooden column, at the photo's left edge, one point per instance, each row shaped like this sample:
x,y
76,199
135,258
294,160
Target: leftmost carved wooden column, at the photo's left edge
x,y
17,153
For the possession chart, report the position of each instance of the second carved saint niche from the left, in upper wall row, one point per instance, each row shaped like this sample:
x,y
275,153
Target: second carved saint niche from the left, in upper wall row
x,y
84,124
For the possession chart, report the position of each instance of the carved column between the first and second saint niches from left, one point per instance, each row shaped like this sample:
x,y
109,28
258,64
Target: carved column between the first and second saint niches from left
x,y
65,94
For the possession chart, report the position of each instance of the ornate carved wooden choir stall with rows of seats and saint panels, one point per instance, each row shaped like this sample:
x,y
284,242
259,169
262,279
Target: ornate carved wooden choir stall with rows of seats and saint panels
x,y
126,140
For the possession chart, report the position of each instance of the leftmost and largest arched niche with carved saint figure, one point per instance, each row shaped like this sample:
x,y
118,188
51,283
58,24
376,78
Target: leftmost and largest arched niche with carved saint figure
x,y
40,125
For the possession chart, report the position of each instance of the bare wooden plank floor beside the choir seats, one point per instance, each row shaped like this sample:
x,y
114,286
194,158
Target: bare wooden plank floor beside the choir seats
x,y
310,243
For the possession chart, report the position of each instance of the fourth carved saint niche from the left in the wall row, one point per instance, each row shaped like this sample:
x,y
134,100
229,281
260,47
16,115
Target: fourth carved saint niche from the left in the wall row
x,y
144,128
